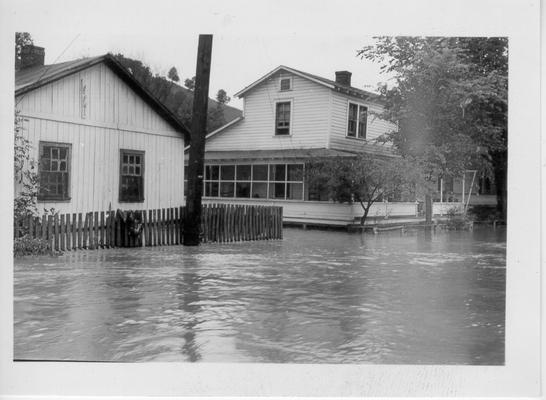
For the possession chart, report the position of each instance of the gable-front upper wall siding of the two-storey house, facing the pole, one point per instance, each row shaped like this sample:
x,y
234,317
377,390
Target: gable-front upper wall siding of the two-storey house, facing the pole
x,y
310,118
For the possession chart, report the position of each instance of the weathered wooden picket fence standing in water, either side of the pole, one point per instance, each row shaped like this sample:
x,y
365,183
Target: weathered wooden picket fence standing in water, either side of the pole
x,y
160,227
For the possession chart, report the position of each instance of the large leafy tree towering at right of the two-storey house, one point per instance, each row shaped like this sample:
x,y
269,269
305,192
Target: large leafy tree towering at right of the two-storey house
x,y
449,101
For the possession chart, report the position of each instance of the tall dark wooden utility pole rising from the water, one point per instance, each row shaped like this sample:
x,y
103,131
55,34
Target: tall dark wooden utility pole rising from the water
x,y
192,220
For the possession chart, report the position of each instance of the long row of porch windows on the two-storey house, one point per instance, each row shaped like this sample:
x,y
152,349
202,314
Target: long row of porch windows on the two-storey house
x,y
258,181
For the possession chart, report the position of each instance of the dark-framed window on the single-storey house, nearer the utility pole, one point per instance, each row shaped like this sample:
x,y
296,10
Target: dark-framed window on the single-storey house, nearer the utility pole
x,y
131,182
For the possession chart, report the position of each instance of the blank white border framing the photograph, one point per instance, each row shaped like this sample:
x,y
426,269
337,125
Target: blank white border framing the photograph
x,y
520,21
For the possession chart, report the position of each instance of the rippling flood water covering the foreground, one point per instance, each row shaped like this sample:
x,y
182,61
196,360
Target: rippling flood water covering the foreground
x,y
314,297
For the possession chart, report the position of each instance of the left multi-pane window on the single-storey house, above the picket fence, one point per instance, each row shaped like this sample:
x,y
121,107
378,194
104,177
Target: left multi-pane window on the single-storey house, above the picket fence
x,y
54,171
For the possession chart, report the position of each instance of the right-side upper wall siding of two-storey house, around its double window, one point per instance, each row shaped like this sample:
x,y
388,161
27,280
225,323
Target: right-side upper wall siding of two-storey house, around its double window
x,y
338,136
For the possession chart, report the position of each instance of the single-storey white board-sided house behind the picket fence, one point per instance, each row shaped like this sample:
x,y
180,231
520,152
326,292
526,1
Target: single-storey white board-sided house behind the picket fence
x,y
101,140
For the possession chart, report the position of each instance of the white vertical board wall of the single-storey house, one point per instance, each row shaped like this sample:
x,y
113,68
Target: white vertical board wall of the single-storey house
x,y
117,118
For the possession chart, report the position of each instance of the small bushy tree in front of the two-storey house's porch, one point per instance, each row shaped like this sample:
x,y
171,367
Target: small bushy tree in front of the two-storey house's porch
x,y
363,178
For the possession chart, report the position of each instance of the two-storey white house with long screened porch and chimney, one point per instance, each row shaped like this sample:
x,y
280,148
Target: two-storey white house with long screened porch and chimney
x,y
290,116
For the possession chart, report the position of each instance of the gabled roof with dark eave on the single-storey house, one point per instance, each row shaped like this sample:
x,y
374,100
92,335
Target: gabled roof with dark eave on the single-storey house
x,y
32,78
